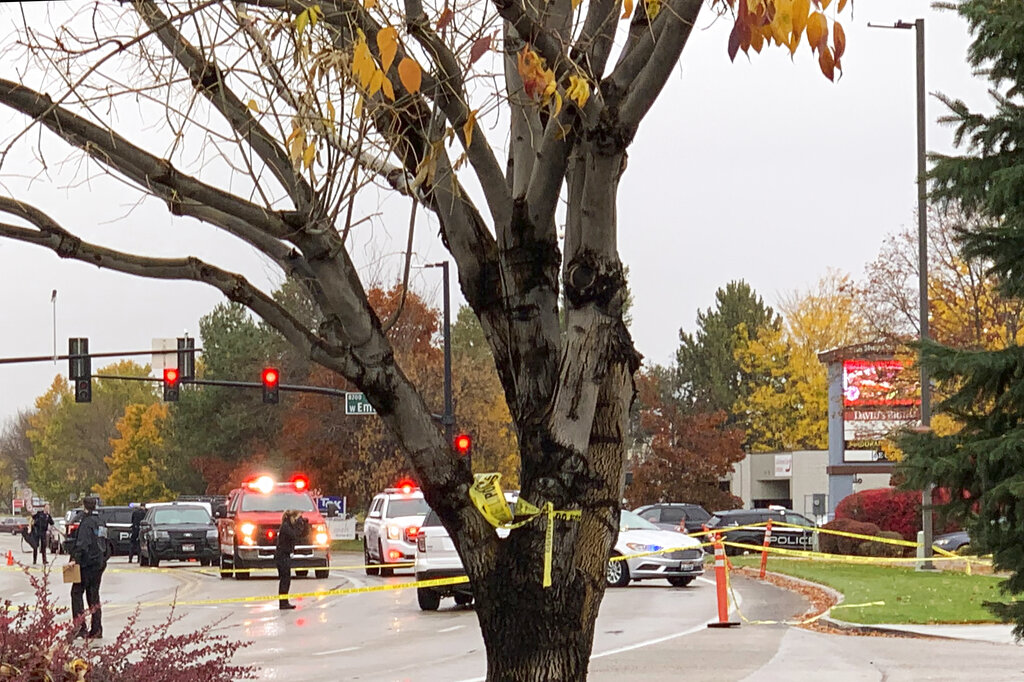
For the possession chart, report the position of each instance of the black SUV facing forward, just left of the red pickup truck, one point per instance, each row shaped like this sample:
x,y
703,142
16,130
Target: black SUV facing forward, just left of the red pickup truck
x,y
179,532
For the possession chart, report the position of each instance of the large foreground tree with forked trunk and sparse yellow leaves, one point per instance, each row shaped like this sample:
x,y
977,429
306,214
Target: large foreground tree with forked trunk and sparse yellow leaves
x,y
301,109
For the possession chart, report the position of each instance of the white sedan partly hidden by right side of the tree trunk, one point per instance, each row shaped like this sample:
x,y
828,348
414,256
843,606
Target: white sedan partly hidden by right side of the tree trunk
x,y
680,564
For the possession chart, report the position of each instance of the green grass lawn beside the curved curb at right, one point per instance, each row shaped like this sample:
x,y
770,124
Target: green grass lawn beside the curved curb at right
x,y
910,596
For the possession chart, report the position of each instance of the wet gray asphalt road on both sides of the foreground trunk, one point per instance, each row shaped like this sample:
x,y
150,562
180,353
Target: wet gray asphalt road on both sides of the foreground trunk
x,y
378,636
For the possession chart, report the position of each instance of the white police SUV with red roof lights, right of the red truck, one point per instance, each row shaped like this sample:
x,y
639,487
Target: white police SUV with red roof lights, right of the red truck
x,y
393,527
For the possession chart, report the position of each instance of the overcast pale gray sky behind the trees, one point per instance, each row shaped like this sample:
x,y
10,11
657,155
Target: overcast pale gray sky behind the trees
x,y
760,170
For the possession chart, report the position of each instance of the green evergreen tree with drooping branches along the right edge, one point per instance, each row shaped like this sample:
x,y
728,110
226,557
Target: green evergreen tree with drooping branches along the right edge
x,y
984,464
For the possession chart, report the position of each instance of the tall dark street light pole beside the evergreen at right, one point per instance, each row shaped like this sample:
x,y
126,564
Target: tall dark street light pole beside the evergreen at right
x,y
928,531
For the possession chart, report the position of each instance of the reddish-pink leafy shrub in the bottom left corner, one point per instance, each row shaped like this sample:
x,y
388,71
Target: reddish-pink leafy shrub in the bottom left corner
x,y
37,646
